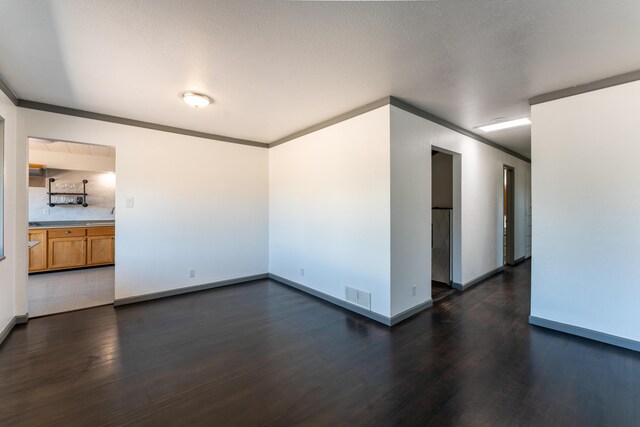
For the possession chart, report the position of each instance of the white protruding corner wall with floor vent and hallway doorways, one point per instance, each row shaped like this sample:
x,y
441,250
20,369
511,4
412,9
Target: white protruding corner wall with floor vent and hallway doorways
x,y
351,205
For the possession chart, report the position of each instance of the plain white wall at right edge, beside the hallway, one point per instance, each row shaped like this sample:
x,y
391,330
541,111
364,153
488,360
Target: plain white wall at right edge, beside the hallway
x,y
586,211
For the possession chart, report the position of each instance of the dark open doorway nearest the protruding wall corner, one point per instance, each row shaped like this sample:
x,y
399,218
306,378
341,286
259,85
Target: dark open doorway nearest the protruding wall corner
x,y
442,224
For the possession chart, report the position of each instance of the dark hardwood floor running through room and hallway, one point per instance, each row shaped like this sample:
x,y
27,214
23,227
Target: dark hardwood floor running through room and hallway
x,y
263,354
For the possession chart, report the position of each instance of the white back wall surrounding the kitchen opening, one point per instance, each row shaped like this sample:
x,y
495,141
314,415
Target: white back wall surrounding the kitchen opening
x,y
198,204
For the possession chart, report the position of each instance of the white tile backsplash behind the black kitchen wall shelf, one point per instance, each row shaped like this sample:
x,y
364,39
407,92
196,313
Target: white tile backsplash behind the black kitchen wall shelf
x,y
100,197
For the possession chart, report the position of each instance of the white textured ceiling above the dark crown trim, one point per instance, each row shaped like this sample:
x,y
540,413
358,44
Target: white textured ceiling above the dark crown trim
x,y
275,67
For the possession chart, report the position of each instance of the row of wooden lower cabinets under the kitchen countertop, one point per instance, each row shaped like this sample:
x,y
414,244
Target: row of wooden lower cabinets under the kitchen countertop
x,y
71,248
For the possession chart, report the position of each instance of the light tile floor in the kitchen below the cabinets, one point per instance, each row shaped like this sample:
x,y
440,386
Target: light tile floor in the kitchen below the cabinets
x,y
60,291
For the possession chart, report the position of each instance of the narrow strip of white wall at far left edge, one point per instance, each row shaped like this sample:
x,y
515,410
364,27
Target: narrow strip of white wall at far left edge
x,y
7,267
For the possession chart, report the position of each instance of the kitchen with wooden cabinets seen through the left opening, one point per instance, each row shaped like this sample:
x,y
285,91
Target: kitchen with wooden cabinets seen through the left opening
x,y
72,227
